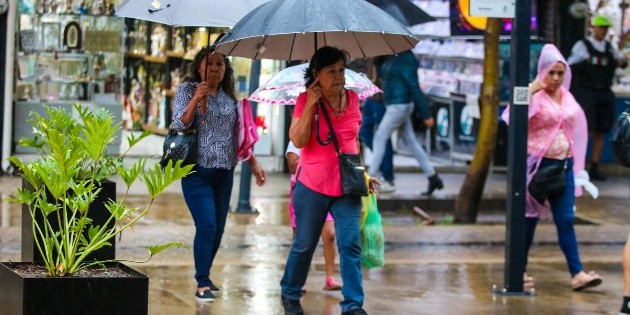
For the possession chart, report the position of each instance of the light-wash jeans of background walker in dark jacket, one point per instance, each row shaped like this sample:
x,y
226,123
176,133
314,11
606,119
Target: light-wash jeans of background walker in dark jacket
x,y
398,116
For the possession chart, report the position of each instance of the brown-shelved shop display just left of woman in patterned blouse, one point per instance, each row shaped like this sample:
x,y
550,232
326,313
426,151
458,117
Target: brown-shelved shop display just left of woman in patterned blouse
x,y
156,60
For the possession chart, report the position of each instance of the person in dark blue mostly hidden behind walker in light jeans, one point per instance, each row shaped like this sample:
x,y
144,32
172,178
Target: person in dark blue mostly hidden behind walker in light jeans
x,y
372,113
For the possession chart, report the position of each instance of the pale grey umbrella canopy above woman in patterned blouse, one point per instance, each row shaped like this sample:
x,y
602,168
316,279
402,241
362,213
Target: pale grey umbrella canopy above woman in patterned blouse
x,y
188,12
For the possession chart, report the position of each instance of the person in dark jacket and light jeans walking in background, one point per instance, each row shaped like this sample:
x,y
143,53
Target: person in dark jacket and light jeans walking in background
x,y
402,95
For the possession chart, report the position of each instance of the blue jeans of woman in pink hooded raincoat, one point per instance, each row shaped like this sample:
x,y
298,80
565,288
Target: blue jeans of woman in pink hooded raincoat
x,y
563,217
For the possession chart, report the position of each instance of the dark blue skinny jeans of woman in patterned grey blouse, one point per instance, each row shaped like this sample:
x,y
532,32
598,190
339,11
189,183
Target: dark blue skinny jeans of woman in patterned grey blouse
x,y
207,193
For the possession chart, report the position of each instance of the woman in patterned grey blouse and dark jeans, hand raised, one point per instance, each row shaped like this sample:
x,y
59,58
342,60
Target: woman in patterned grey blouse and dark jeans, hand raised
x,y
206,101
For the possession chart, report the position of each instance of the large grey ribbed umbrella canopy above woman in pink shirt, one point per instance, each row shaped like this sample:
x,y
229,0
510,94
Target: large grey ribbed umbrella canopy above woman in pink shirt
x,y
295,29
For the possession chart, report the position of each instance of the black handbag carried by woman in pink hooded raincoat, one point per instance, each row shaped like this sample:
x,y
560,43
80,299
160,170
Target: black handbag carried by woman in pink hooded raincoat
x,y
548,181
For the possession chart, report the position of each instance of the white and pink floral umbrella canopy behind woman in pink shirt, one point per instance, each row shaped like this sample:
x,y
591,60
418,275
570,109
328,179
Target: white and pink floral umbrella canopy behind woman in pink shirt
x,y
284,87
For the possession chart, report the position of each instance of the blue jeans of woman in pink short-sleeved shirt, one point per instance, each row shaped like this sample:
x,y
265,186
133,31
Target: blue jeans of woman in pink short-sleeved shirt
x,y
310,214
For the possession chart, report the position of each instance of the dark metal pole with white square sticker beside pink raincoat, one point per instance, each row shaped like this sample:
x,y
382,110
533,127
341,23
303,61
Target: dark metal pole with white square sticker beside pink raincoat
x,y
515,252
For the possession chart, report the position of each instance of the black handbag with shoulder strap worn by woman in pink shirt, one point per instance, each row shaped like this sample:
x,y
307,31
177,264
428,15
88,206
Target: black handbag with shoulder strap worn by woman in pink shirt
x,y
351,169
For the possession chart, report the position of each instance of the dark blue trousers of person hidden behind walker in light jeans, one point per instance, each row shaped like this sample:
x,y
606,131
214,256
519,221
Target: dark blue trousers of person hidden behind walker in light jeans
x,y
372,113
